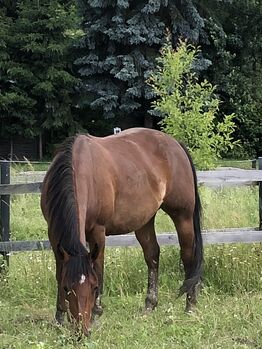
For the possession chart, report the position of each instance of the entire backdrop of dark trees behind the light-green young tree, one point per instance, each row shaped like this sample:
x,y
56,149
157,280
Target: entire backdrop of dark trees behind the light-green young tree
x,y
68,66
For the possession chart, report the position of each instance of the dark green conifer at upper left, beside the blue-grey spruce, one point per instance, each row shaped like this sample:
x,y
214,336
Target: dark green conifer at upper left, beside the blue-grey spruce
x,y
37,84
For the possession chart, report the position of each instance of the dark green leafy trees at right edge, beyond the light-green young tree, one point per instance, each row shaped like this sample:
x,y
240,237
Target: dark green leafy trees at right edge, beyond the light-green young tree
x,y
235,49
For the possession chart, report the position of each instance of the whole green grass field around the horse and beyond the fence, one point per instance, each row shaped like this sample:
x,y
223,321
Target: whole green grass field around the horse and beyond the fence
x,y
229,313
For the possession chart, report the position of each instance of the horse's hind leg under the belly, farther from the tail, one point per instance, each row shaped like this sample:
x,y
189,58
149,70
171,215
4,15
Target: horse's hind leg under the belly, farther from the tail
x,y
147,239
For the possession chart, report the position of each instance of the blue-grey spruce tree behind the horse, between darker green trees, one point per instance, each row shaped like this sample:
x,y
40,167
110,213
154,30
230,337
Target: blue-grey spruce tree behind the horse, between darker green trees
x,y
117,53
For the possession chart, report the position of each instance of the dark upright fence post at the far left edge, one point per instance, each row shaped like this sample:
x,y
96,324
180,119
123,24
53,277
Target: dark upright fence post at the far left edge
x,y
5,206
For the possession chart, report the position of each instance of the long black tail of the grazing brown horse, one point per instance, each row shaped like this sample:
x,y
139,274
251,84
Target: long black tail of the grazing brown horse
x,y
195,274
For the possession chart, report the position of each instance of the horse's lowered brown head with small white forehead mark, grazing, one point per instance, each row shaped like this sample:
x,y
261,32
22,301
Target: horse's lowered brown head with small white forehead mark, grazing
x,y
80,288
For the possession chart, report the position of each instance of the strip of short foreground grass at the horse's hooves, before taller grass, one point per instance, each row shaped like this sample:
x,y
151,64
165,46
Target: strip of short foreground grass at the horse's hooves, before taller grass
x,y
125,326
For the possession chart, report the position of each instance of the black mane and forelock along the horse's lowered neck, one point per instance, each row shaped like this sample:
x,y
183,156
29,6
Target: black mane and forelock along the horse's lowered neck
x,y
62,212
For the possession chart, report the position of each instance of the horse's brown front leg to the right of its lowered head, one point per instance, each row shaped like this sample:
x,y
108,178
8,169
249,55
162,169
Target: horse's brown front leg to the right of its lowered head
x,y
96,240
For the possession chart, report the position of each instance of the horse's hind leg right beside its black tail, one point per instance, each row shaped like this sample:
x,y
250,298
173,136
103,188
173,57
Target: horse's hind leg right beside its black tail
x,y
183,221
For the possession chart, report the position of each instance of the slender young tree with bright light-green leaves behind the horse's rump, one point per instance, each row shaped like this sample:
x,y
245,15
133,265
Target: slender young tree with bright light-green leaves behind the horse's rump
x,y
190,107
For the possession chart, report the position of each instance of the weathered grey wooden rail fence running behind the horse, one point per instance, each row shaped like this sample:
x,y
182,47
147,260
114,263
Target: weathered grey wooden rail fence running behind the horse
x,y
217,178
